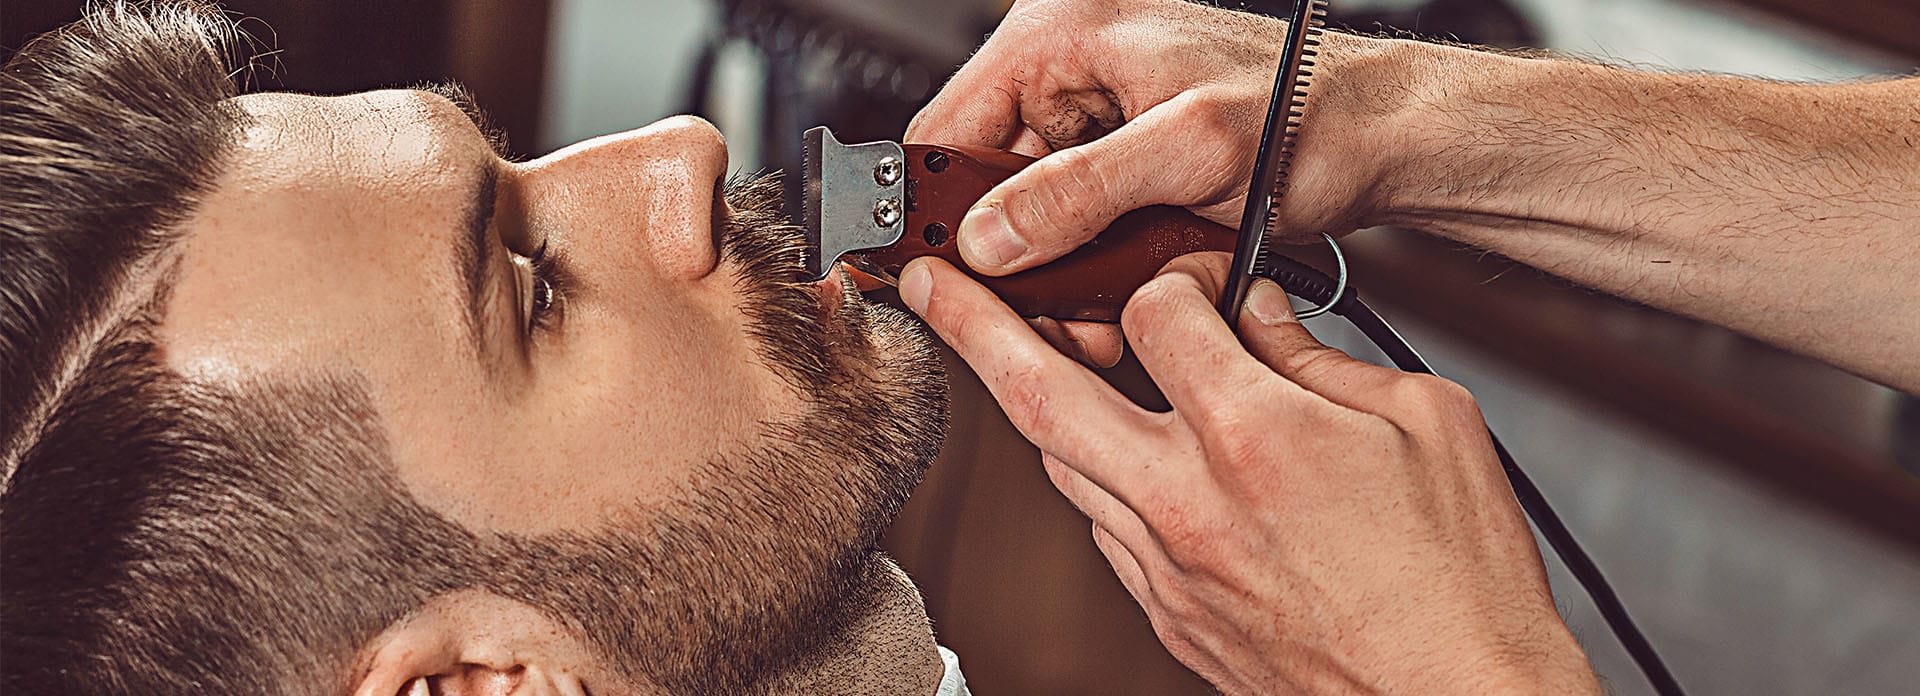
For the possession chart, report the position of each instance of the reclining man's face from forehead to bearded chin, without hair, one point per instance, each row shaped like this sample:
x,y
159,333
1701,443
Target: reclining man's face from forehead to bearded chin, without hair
x,y
658,378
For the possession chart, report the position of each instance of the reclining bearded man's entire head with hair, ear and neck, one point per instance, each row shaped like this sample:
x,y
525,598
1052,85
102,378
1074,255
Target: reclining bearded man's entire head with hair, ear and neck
x,y
322,395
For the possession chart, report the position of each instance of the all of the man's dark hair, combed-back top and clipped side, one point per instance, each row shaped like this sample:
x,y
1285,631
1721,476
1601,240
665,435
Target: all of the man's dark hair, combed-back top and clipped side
x,y
156,535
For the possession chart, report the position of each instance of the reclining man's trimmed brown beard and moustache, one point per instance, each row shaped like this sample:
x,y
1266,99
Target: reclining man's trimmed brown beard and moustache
x,y
754,566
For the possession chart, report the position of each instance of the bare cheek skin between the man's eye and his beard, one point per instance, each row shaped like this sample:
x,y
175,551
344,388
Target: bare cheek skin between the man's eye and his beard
x,y
623,414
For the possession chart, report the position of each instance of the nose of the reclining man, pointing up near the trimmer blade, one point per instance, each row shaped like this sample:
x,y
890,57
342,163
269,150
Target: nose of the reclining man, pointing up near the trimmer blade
x,y
646,197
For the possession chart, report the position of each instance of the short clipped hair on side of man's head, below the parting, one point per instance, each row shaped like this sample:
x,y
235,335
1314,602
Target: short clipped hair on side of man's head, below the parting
x,y
178,539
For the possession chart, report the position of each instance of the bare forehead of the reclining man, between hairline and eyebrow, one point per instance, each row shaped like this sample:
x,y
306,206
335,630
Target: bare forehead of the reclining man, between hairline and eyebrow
x,y
322,234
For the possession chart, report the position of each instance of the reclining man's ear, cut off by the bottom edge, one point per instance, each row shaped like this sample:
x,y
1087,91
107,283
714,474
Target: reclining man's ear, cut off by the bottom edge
x,y
460,647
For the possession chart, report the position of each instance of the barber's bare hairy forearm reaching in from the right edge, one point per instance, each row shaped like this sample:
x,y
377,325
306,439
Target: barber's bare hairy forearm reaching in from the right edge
x,y
1781,211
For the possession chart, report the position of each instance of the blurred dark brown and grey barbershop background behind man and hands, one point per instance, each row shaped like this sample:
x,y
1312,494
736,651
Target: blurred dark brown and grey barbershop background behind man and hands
x,y
1758,512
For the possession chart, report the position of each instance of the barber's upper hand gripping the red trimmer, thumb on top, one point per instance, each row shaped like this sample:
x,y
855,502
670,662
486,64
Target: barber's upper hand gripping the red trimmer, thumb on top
x,y
1140,103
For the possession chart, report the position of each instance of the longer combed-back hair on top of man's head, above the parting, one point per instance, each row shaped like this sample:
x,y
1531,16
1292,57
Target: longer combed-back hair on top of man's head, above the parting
x,y
108,132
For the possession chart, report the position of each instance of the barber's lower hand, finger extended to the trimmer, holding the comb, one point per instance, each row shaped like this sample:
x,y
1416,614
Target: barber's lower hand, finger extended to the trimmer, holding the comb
x,y
1299,522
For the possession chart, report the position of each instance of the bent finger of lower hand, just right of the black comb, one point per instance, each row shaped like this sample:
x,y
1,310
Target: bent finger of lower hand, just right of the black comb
x,y
1272,334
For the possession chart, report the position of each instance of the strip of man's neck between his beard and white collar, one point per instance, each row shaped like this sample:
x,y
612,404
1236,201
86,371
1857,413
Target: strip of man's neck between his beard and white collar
x,y
886,649
